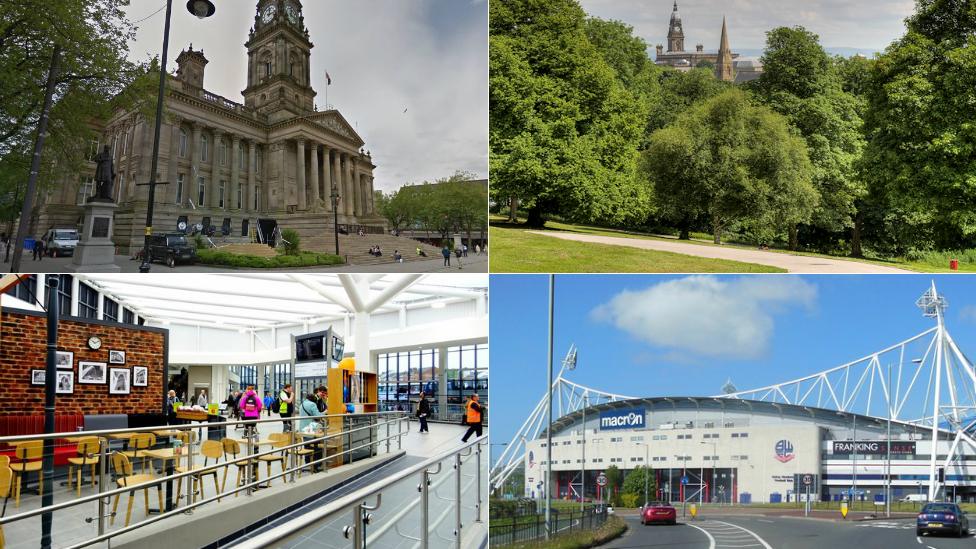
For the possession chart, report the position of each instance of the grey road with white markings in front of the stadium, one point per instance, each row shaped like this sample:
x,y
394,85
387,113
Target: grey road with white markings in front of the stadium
x,y
717,531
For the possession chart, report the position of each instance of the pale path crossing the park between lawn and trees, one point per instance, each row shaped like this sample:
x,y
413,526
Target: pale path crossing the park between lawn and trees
x,y
793,263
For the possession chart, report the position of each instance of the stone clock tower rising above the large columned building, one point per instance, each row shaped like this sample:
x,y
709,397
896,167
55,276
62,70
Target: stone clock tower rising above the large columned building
x,y
279,67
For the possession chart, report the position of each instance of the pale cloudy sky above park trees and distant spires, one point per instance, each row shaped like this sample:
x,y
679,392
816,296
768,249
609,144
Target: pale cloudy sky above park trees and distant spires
x,y
865,26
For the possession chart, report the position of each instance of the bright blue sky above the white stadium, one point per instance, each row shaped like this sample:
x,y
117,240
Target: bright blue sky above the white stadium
x,y
655,335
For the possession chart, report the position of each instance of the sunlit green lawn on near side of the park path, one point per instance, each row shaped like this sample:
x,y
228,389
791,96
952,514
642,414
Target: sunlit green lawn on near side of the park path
x,y
514,250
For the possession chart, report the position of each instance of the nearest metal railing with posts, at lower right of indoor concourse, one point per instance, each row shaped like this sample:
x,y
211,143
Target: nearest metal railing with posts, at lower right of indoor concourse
x,y
418,517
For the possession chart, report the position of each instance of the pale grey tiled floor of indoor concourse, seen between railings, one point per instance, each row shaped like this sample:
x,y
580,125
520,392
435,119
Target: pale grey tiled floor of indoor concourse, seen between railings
x,y
71,526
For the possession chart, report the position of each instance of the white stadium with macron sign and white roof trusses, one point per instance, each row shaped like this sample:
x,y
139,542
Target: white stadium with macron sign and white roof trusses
x,y
902,414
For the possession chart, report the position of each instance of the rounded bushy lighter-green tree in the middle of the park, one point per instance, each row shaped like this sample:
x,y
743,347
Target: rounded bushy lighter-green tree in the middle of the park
x,y
731,161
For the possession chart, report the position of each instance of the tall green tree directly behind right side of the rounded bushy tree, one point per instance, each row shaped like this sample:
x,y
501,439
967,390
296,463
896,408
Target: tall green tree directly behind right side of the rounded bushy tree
x,y
799,80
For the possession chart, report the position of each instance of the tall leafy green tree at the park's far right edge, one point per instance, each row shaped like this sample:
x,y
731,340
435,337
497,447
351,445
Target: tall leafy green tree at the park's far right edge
x,y
921,139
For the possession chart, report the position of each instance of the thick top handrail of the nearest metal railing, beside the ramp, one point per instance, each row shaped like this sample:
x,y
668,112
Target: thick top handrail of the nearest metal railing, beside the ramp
x,y
352,500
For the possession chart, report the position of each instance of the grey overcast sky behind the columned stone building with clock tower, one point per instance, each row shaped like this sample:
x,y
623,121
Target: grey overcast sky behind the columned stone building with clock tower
x,y
410,75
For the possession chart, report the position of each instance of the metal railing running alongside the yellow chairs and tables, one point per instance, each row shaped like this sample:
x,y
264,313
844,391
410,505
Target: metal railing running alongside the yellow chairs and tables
x,y
396,426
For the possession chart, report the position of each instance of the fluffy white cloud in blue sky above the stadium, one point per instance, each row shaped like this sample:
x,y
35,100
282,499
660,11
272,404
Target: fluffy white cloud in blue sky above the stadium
x,y
705,315
